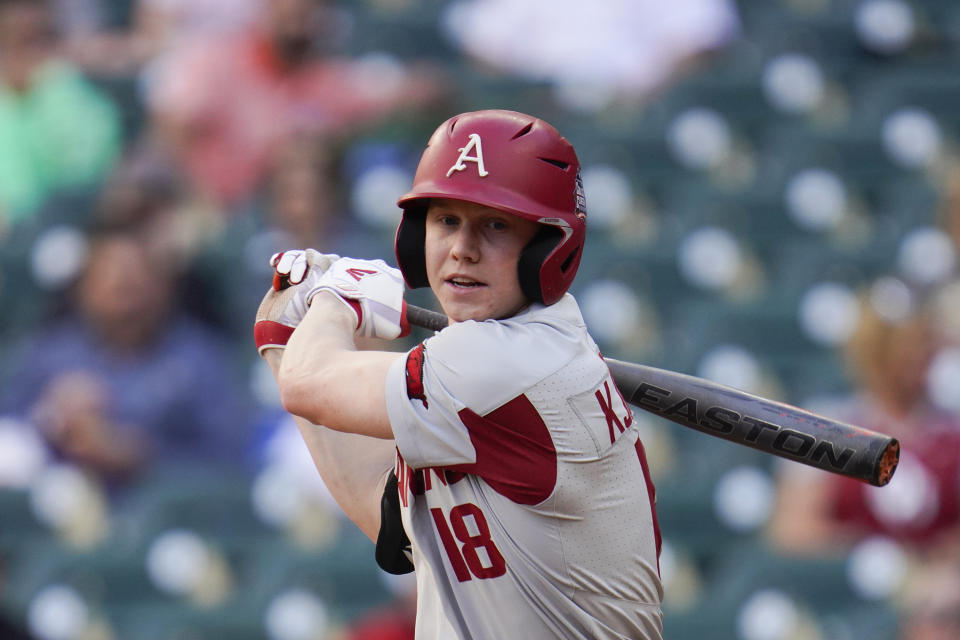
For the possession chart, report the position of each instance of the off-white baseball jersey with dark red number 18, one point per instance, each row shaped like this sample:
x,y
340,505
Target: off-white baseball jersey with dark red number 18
x,y
523,484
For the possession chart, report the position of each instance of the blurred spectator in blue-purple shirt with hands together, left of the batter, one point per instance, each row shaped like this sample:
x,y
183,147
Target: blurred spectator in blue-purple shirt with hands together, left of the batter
x,y
126,380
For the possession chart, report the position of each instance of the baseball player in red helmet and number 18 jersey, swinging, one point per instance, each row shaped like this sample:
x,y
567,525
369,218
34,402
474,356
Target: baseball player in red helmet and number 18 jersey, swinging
x,y
518,475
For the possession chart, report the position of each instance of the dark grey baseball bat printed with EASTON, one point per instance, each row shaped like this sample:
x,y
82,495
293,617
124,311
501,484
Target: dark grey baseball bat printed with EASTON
x,y
743,418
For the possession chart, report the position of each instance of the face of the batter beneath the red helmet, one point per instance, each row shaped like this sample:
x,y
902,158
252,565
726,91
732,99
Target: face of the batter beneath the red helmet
x,y
471,255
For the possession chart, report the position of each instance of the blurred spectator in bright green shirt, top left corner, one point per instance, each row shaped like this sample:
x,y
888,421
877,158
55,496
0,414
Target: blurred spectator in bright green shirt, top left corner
x,y
56,129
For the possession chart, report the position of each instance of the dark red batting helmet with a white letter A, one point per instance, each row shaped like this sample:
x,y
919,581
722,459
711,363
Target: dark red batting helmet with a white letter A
x,y
512,162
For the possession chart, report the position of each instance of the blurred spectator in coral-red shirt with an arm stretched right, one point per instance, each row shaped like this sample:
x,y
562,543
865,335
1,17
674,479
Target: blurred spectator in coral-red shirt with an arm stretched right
x,y
226,105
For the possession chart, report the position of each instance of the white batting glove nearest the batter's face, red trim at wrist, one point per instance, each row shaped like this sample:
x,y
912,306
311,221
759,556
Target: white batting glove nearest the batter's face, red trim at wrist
x,y
374,290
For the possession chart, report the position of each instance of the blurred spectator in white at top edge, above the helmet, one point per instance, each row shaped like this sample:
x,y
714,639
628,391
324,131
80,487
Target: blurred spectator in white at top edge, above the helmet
x,y
604,49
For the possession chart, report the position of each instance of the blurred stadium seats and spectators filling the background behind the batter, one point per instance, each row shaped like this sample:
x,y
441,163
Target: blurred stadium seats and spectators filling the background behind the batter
x,y
773,190
